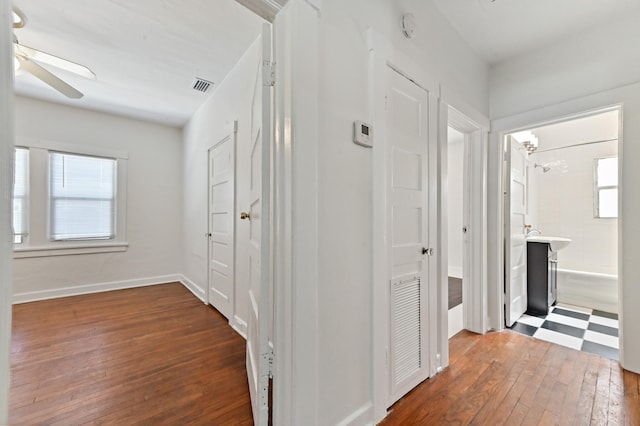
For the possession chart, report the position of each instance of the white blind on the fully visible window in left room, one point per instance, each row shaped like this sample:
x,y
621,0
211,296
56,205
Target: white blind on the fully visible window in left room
x,y
82,197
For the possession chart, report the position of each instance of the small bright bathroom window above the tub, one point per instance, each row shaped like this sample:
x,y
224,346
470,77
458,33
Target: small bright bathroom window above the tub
x,y
606,187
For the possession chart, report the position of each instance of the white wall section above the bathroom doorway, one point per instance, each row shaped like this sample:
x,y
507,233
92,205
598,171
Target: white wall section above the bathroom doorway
x,y
589,62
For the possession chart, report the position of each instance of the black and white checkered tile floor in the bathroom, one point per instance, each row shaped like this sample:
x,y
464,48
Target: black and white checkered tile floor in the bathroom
x,y
577,328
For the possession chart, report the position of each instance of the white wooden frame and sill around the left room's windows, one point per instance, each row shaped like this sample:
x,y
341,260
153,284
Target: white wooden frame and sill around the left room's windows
x,y
39,243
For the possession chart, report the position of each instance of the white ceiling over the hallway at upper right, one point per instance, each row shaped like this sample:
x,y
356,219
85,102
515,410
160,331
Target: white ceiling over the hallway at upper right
x,y
500,29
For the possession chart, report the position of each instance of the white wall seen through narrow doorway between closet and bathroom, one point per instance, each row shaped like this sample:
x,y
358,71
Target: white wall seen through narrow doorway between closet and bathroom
x,y
455,174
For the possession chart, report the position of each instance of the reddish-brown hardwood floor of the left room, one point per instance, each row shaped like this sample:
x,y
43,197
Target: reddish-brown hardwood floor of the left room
x,y
153,355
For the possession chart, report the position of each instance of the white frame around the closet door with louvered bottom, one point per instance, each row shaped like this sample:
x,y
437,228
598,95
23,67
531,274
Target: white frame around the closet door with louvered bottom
x,y
382,56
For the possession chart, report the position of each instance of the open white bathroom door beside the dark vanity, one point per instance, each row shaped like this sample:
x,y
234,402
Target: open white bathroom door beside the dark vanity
x,y
515,245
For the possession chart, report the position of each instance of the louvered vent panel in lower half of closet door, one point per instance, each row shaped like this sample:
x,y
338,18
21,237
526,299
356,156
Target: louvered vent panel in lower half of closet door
x,y
407,344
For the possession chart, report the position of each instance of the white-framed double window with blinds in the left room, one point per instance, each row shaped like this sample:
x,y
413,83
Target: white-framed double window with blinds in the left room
x,y
69,199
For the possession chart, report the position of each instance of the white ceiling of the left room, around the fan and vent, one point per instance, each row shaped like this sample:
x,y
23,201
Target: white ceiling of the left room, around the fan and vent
x,y
145,53
